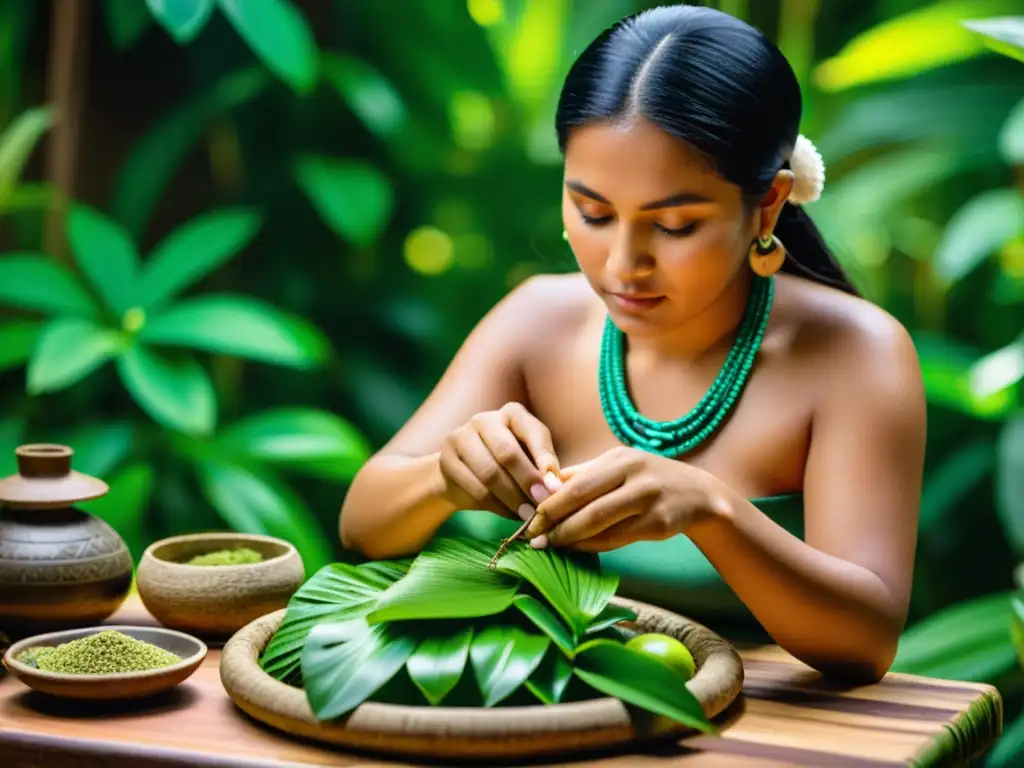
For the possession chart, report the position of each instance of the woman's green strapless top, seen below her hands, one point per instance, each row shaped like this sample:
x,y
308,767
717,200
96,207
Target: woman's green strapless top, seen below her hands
x,y
672,574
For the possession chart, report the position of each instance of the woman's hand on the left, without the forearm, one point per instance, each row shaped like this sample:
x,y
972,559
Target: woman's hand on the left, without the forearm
x,y
500,461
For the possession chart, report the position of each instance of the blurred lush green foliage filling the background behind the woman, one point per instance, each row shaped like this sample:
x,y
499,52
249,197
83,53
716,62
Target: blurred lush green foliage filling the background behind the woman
x,y
916,106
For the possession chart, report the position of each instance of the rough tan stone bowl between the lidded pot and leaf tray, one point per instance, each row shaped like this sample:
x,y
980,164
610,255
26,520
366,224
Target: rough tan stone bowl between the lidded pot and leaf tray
x,y
216,602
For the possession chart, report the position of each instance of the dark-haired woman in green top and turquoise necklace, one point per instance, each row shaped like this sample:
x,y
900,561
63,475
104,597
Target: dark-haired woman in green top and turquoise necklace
x,y
708,404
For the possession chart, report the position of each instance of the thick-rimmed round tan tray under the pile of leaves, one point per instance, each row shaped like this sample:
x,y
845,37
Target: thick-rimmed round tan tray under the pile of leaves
x,y
449,733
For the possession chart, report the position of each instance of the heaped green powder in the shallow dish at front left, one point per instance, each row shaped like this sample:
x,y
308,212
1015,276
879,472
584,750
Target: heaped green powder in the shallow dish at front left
x,y
104,654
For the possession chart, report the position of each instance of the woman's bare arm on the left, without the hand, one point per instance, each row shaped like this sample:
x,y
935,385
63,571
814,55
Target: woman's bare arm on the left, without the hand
x,y
400,499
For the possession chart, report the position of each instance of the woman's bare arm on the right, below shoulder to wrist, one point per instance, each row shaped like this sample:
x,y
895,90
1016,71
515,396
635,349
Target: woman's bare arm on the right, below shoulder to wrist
x,y
839,600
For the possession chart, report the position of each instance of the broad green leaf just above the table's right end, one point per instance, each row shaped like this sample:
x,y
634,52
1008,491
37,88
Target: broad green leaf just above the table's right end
x,y
967,642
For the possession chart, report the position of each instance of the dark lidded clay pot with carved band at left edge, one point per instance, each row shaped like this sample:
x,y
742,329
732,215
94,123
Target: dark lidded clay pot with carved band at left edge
x,y
60,567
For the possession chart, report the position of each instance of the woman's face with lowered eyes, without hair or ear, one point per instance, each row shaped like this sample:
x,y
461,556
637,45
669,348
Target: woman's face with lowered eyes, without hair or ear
x,y
659,236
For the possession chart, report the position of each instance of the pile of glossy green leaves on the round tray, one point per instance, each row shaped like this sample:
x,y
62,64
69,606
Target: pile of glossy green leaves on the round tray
x,y
538,627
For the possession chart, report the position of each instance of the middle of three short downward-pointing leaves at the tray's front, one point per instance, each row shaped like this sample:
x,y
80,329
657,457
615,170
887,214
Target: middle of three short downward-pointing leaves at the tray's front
x,y
503,658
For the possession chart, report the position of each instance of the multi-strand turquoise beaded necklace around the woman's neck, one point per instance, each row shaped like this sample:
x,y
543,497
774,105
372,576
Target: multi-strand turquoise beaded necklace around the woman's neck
x,y
673,439
